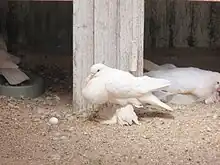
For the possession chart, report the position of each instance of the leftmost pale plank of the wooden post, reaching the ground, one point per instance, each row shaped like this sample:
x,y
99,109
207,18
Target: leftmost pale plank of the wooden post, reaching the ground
x,y
82,48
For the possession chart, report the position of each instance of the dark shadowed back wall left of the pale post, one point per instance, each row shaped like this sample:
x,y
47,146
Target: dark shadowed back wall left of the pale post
x,y
44,26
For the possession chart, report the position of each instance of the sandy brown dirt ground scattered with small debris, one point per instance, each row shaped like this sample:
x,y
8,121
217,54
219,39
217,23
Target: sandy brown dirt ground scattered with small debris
x,y
190,135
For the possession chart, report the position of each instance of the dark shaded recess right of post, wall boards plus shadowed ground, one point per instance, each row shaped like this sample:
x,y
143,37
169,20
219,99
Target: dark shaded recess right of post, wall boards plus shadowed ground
x,y
183,33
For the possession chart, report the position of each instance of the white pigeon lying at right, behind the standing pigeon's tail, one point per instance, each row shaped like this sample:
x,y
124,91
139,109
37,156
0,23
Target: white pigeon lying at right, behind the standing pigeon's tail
x,y
188,84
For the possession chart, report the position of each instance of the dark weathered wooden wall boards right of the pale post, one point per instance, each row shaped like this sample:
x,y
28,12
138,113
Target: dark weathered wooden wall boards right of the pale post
x,y
181,23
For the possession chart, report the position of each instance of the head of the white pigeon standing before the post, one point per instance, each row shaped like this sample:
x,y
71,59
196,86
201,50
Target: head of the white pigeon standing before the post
x,y
96,70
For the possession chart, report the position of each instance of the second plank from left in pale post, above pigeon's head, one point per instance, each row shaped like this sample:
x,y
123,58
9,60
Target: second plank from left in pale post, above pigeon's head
x,y
105,32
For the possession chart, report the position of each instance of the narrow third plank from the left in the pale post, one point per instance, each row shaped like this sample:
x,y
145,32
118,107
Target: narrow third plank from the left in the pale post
x,y
125,37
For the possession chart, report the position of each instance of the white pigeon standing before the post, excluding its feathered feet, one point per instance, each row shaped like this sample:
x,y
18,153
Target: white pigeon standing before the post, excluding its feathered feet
x,y
106,84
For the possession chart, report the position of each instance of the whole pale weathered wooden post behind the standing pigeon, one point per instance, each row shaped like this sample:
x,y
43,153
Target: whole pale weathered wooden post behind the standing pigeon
x,y
115,37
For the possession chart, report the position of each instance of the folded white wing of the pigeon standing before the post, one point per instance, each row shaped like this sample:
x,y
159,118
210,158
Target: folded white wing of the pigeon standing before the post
x,y
134,87
